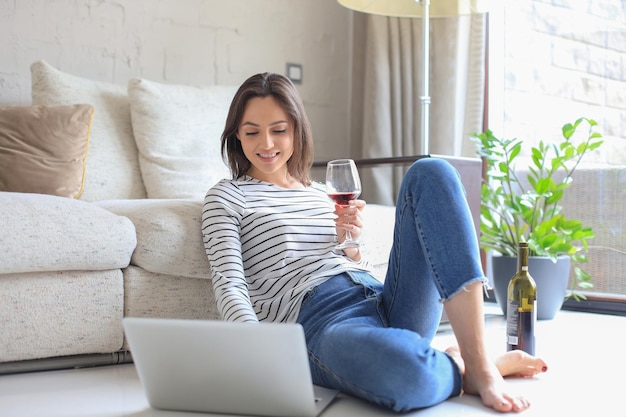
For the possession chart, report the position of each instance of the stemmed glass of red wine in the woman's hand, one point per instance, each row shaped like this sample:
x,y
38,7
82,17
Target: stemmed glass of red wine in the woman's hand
x,y
342,185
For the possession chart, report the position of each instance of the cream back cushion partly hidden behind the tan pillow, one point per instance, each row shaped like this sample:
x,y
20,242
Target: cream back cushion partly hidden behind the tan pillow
x,y
112,166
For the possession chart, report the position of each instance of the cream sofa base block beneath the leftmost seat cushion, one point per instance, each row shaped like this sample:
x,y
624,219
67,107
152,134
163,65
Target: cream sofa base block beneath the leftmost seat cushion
x,y
49,314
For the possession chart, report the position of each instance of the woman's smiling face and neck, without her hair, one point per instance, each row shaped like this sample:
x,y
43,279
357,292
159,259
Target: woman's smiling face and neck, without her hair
x,y
266,134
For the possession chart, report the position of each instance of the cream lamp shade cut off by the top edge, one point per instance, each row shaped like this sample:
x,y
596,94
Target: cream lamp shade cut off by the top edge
x,y
412,8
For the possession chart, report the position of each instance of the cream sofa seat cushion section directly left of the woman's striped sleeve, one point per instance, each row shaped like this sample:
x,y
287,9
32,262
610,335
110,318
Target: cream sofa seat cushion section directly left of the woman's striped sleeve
x,y
169,238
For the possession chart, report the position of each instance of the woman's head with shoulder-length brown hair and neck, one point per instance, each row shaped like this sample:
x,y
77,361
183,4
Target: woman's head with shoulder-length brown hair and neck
x,y
267,123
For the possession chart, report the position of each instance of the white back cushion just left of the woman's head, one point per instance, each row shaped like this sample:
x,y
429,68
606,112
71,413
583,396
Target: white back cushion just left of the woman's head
x,y
177,130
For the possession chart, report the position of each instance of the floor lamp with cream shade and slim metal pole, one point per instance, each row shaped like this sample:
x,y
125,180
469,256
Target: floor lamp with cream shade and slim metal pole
x,y
412,8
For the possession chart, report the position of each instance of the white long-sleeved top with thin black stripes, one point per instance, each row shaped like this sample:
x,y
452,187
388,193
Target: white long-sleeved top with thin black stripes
x,y
267,246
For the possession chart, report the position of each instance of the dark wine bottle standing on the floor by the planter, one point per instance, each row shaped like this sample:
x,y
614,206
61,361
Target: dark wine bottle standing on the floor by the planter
x,y
521,306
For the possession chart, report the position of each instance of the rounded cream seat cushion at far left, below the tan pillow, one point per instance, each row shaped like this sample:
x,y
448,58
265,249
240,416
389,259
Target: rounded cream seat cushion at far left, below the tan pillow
x,y
49,233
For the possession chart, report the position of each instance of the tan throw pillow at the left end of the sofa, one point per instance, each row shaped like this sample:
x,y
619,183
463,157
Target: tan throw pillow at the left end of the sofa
x,y
43,148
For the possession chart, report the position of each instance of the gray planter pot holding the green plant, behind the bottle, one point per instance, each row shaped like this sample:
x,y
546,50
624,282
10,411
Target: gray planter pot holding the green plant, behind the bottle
x,y
551,279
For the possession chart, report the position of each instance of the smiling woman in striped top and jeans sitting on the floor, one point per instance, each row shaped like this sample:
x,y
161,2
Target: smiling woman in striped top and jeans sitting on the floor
x,y
270,237
